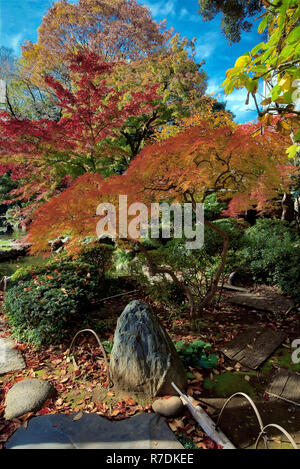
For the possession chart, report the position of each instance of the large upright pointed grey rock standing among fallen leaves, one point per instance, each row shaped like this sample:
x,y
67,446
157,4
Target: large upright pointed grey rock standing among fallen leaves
x,y
143,358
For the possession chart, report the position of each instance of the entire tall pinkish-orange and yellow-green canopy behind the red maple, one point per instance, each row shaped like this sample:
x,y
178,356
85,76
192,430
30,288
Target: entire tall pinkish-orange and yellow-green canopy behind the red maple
x,y
124,32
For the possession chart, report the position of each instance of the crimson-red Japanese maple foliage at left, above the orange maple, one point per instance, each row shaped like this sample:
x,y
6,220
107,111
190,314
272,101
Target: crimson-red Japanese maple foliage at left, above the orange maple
x,y
46,153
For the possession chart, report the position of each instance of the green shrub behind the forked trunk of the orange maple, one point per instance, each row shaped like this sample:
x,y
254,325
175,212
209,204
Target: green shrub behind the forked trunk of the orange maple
x,y
195,267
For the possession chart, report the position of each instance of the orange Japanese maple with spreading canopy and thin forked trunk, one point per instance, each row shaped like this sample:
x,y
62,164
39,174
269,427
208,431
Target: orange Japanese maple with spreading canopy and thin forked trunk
x,y
184,168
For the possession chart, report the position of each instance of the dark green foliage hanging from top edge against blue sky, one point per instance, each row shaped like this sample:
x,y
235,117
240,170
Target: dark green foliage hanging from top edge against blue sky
x,y
235,15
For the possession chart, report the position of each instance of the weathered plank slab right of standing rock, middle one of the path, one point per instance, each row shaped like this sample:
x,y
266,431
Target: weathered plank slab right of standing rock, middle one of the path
x,y
254,347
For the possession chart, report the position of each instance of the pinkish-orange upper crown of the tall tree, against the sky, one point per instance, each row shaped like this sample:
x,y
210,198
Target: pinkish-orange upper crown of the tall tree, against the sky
x,y
115,29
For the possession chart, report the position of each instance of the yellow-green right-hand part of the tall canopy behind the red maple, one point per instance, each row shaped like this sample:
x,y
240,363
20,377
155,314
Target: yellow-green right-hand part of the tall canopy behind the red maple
x,y
182,84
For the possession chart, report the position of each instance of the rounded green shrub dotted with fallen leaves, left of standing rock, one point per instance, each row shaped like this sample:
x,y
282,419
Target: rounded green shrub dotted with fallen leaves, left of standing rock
x,y
46,304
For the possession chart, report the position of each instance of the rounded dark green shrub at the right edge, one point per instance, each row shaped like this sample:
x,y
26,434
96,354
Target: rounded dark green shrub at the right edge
x,y
271,255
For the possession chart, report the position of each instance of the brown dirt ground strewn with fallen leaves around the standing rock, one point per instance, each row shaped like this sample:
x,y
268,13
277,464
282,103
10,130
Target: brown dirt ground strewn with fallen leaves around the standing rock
x,y
84,387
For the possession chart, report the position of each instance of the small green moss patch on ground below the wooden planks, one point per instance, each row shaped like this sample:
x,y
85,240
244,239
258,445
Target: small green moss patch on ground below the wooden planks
x,y
226,384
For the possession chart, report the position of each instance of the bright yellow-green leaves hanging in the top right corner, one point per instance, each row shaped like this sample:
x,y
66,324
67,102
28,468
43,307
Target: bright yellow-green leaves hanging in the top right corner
x,y
275,62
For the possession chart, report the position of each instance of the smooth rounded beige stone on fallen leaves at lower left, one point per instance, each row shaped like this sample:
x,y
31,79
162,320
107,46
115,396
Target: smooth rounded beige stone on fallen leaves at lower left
x,y
27,396
